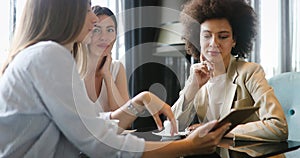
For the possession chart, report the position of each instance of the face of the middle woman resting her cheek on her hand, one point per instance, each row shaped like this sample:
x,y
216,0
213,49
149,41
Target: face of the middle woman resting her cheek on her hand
x,y
103,34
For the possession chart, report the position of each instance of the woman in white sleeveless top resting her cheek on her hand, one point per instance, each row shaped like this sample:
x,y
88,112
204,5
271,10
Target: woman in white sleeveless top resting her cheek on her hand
x,y
105,79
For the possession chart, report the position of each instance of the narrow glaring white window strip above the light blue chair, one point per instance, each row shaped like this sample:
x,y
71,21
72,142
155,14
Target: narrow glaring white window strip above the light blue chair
x,y
269,32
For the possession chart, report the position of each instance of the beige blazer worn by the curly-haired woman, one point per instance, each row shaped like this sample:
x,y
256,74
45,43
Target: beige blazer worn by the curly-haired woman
x,y
246,86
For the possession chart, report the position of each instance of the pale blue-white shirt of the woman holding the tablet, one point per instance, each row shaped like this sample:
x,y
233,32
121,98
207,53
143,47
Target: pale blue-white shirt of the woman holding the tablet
x,y
45,111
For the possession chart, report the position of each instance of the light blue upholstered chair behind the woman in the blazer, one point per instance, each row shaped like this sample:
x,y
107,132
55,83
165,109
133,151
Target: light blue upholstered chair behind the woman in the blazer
x,y
287,89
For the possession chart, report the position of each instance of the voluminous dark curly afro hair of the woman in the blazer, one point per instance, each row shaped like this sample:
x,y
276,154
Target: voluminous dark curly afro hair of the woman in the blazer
x,y
241,17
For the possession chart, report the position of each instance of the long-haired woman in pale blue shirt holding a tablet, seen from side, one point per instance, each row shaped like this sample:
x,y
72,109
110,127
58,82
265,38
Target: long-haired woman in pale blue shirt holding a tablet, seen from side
x,y
44,109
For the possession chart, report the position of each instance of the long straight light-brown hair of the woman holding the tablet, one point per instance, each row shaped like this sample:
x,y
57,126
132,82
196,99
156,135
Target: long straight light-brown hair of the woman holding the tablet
x,y
60,21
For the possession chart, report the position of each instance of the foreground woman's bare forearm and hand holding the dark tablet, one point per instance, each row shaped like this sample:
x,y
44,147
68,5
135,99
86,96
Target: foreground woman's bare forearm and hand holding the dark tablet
x,y
198,142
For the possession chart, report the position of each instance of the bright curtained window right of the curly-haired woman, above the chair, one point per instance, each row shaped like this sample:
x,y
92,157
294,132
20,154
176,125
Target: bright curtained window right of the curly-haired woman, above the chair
x,y
279,37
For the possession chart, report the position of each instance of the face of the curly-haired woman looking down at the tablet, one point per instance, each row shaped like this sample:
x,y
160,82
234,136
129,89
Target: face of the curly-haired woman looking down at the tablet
x,y
216,40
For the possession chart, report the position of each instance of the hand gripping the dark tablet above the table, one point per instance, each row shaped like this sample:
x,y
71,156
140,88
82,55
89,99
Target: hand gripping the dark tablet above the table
x,y
202,141
